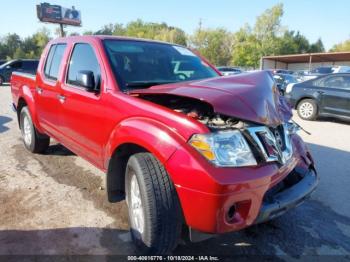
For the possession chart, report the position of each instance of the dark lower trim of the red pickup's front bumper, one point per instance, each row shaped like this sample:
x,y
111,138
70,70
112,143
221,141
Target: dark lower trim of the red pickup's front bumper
x,y
289,198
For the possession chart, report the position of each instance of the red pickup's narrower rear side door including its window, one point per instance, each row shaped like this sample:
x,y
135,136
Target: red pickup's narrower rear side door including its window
x,y
47,92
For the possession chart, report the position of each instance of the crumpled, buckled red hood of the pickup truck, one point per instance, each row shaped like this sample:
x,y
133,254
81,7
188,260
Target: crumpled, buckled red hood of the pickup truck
x,y
249,96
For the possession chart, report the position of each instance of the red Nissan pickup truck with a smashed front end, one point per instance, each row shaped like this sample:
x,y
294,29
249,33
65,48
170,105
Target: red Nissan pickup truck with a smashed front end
x,y
182,144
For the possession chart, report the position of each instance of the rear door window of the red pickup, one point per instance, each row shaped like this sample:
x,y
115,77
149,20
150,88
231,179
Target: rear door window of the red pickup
x,y
53,61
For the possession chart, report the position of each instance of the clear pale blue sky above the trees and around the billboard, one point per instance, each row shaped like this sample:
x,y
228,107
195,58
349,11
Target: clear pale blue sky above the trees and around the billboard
x,y
328,20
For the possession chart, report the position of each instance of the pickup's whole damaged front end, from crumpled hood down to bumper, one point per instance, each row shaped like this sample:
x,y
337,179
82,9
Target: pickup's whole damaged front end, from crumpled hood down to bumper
x,y
248,126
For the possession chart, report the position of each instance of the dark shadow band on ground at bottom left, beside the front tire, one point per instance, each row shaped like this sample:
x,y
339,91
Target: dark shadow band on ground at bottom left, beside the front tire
x,y
66,242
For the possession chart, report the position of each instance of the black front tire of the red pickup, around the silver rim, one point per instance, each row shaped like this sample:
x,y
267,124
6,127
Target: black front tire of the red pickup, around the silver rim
x,y
161,208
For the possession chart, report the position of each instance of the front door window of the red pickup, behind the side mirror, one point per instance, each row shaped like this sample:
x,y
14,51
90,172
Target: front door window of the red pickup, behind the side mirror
x,y
83,59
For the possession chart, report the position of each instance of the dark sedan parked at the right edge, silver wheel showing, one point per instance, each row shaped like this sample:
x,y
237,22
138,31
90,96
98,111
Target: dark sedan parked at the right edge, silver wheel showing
x,y
328,95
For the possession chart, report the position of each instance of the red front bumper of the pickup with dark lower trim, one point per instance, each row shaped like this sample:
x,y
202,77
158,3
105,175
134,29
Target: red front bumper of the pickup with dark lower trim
x,y
207,194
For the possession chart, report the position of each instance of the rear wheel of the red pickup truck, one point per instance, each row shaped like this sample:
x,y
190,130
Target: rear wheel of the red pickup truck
x,y
37,143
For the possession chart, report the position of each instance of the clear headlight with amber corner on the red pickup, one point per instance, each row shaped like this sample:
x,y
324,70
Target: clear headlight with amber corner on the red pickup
x,y
224,148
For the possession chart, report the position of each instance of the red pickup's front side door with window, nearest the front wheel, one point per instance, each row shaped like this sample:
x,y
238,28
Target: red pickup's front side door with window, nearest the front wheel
x,y
83,112
